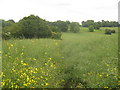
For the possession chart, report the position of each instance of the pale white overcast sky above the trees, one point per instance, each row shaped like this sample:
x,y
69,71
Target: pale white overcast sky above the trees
x,y
52,10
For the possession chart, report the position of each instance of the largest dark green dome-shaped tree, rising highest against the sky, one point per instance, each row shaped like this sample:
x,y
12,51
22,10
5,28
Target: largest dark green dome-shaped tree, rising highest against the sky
x,y
33,26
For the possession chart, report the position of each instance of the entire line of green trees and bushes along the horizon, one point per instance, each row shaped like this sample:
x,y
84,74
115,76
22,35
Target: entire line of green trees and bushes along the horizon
x,y
35,27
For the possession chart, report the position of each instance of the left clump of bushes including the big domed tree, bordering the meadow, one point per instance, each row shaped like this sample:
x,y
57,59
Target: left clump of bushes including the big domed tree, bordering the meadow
x,y
28,27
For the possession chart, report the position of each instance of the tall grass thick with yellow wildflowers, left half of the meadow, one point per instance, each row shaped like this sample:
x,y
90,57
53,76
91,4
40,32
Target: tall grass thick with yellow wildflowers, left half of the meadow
x,y
29,63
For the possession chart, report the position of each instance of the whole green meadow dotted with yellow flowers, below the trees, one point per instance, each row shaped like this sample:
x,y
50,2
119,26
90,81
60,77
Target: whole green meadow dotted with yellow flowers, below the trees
x,y
79,60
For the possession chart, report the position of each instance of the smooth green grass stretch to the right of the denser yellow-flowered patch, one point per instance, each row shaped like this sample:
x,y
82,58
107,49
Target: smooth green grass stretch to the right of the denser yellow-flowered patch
x,y
93,58
